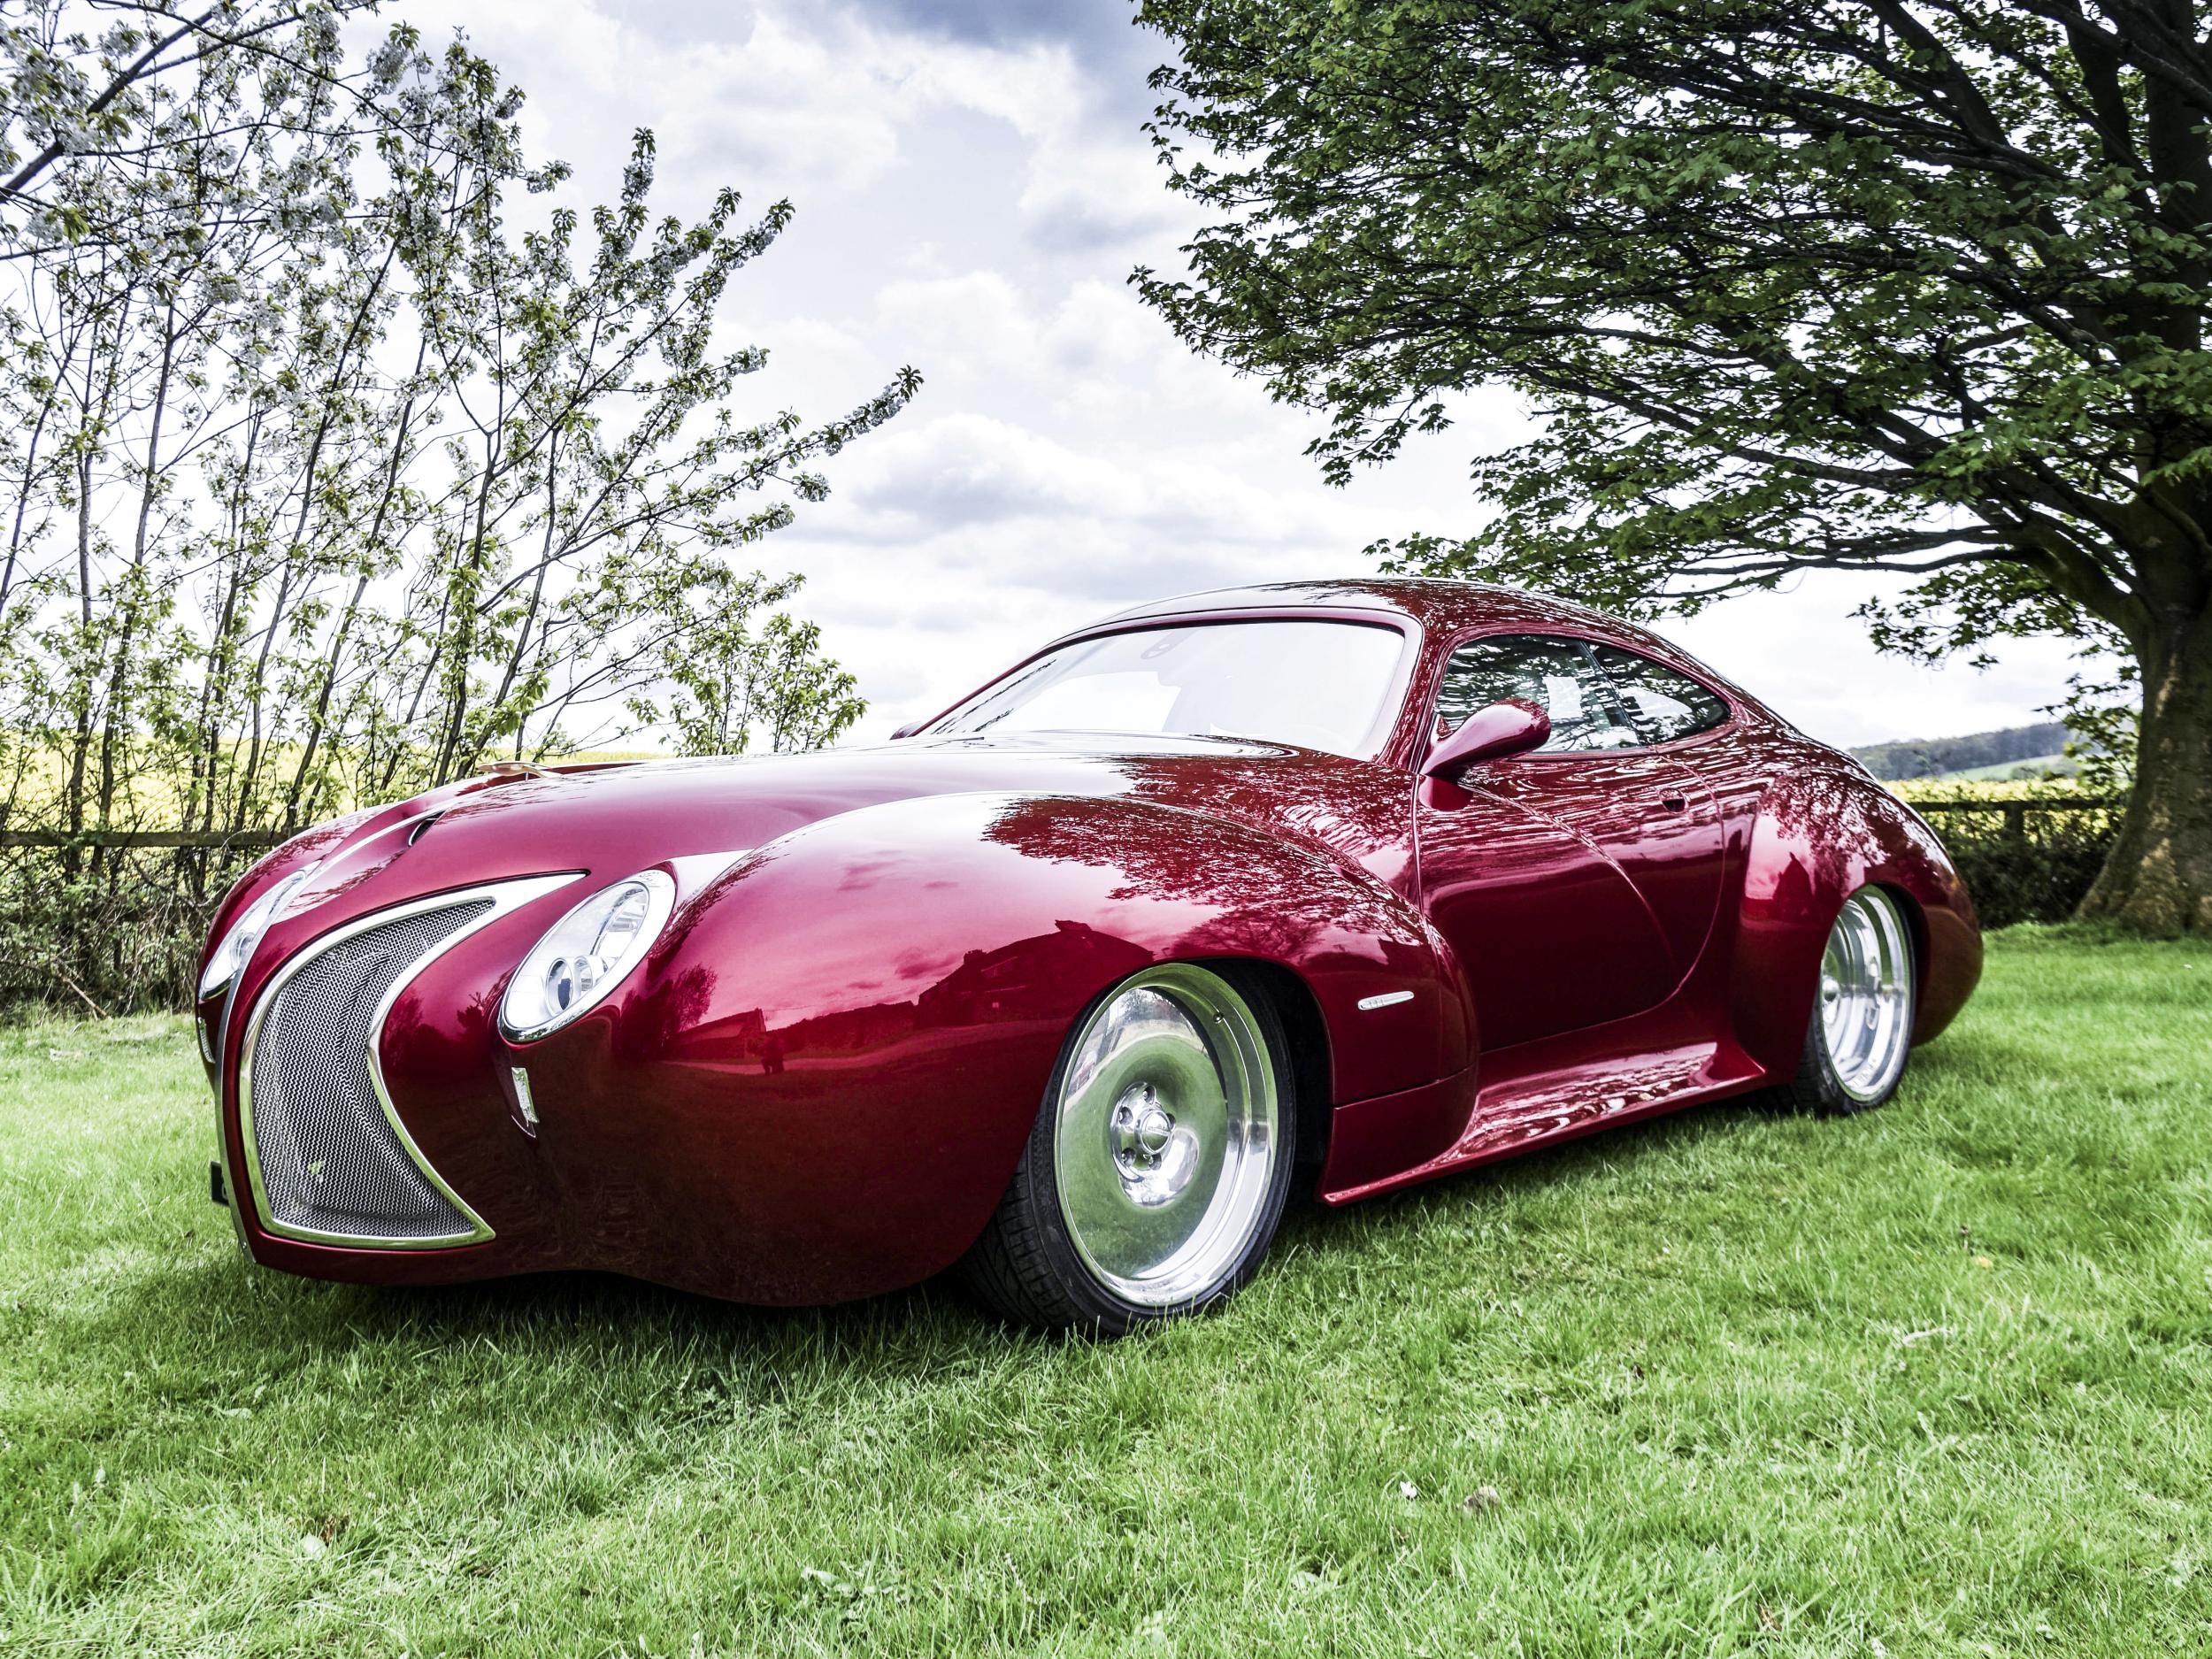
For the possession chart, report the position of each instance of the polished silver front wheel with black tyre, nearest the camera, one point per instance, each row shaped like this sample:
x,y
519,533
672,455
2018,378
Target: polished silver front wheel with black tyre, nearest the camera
x,y
1160,1162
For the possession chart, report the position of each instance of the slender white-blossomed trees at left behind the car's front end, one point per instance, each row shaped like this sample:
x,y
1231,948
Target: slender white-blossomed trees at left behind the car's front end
x,y
322,481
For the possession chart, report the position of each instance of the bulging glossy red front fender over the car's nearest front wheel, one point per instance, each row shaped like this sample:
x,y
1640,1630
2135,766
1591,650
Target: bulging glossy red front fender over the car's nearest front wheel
x,y
833,1063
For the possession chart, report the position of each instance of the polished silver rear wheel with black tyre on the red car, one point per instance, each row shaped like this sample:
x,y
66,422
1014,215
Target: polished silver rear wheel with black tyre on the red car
x,y
1861,1027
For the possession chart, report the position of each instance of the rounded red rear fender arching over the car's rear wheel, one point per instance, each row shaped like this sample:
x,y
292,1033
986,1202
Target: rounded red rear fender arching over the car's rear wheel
x,y
1824,835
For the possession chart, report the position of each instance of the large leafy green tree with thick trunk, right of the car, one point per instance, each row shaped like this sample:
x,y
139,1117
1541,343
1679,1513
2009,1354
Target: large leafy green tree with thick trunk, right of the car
x,y
1890,286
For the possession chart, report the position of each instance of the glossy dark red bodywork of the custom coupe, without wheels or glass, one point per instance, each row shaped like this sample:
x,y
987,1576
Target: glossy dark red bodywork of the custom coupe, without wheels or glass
x,y
822,1078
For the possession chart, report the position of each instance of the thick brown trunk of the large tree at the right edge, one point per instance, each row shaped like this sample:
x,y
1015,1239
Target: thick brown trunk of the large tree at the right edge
x,y
2158,877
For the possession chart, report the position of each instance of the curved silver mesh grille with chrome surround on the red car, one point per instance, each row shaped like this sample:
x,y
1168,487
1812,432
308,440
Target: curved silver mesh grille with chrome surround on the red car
x,y
328,1156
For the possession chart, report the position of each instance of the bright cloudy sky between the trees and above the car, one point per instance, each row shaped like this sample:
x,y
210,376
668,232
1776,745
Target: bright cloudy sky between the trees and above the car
x,y
972,194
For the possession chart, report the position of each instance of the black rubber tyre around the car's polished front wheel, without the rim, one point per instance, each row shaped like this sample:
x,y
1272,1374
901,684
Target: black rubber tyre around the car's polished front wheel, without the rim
x,y
1027,1264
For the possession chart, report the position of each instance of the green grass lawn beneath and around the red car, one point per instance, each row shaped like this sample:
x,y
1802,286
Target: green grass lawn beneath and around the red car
x,y
1934,1381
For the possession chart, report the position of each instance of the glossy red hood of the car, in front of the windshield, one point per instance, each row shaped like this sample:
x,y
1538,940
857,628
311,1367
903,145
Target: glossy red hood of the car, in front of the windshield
x,y
625,817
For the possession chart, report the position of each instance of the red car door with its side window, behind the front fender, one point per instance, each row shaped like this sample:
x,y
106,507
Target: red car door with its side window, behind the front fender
x,y
1576,884
